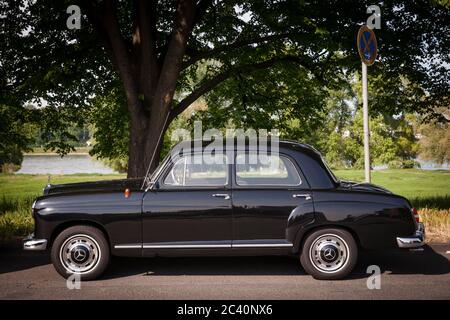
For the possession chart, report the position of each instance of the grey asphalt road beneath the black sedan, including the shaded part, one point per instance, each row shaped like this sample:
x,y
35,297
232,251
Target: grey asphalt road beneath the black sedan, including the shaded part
x,y
405,275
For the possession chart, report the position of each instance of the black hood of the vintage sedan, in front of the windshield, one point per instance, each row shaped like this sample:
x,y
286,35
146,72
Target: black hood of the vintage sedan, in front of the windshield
x,y
93,186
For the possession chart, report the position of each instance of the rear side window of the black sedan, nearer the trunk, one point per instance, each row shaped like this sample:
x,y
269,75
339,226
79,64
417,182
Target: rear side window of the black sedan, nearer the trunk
x,y
270,170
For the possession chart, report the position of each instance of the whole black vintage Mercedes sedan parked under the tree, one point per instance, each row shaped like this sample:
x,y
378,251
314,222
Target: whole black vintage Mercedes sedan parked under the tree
x,y
288,204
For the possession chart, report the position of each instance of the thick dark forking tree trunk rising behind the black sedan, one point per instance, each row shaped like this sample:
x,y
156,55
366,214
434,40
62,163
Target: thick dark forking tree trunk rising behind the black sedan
x,y
149,85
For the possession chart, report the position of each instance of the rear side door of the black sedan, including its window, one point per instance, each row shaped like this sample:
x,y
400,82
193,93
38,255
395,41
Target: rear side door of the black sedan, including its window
x,y
265,194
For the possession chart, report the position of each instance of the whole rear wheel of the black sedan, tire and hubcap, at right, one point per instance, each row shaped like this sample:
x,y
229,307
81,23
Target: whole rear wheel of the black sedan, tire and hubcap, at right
x,y
329,254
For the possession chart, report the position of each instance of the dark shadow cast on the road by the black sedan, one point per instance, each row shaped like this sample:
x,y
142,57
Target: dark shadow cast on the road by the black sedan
x,y
427,262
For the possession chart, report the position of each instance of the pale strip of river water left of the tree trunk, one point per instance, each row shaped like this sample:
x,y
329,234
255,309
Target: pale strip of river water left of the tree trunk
x,y
54,164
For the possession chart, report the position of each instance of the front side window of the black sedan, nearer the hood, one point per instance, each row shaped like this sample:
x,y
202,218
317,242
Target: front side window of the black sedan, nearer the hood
x,y
185,172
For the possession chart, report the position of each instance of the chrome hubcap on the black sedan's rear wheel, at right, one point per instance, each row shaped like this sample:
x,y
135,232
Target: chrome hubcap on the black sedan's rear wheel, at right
x,y
329,253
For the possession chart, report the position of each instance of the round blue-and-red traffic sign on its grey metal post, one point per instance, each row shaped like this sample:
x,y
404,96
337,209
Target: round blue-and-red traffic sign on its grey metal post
x,y
367,48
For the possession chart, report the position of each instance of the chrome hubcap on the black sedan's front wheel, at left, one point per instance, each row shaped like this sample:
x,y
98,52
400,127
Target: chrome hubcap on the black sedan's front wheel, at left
x,y
80,254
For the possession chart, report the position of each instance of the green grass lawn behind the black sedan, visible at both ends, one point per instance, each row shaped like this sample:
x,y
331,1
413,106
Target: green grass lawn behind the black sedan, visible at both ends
x,y
429,191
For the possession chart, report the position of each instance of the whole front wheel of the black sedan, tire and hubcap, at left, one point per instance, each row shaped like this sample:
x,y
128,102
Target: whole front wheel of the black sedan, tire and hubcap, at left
x,y
74,242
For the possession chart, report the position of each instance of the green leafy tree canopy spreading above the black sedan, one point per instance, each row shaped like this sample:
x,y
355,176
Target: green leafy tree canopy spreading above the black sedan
x,y
281,58
